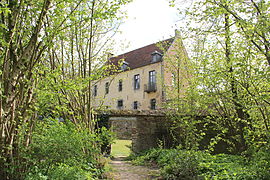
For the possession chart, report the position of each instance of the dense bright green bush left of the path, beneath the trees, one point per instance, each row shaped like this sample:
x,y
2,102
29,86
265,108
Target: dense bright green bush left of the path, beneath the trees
x,y
62,151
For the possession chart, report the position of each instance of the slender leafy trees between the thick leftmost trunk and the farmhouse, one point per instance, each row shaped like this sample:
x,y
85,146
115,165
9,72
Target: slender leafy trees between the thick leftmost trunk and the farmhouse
x,y
78,57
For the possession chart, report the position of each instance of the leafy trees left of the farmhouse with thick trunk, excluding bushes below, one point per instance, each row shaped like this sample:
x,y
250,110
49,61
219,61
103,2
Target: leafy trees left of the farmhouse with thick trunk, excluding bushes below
x,y
47,52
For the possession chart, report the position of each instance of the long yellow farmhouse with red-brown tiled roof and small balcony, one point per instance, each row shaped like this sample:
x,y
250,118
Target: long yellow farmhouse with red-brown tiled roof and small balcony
x,y
148,77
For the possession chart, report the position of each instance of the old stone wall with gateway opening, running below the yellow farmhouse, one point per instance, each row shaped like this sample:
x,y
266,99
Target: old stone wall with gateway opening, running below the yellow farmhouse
x,y
149,129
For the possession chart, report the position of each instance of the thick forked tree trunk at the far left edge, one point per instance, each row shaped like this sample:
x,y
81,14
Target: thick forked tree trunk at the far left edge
x,y
16,90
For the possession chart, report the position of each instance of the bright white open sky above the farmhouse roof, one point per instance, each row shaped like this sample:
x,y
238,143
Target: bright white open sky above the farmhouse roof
x,y
148,21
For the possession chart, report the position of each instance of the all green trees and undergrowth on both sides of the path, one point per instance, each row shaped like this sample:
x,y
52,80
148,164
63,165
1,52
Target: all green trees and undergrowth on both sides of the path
x,y
52,52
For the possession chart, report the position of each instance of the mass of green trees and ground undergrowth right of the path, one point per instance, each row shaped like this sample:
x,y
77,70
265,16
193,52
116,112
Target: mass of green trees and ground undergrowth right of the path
x,y
219,101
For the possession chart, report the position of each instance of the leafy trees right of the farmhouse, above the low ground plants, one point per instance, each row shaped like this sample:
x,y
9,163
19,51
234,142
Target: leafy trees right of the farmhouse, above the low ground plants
x,y
231,78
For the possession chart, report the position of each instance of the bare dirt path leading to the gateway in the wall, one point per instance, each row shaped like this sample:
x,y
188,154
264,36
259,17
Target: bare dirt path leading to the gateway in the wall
x,y
124,170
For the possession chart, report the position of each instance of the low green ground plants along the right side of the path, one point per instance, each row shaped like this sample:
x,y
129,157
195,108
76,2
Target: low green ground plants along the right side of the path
x,y
190,164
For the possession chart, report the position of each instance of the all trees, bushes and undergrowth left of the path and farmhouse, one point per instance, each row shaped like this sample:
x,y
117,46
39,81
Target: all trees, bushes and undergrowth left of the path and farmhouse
x,y
51,51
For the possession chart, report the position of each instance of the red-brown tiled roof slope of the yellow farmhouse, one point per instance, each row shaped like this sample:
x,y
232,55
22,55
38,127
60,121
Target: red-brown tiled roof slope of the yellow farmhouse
x,y
142,56
